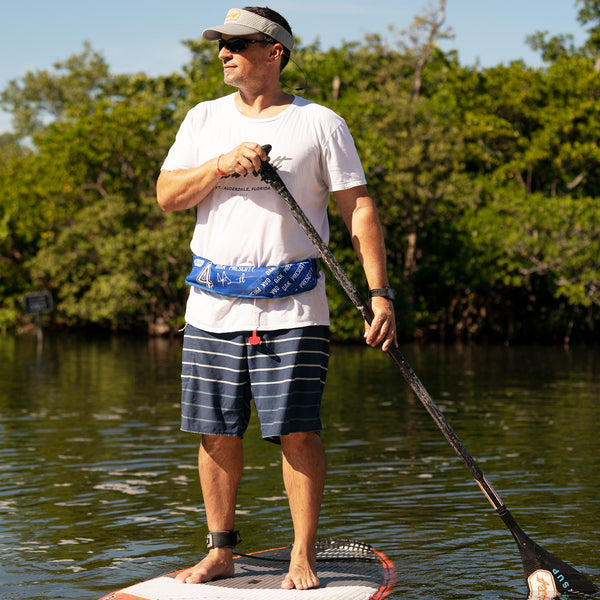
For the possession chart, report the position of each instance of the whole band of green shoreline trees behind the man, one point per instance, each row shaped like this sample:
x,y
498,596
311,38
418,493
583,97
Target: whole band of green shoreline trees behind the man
x,y
487,181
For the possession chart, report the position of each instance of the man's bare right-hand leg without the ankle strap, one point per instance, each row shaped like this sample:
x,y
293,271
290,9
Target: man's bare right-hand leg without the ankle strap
x,y
304,469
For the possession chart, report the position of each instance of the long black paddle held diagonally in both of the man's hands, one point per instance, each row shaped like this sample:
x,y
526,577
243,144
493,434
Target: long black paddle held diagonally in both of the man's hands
x,y
545,574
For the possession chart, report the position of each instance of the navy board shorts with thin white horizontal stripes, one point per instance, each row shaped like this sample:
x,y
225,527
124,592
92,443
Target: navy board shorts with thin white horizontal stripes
x,y
284,375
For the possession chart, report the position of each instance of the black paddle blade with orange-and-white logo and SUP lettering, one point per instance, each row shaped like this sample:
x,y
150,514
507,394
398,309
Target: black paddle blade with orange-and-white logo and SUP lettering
x,y
546,575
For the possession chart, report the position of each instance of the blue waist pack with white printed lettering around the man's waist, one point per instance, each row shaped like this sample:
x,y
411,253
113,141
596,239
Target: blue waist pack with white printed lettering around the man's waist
x,y
254,282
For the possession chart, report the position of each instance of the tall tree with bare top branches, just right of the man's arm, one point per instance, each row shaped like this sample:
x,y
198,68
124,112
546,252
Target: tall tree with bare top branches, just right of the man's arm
x,y
412,152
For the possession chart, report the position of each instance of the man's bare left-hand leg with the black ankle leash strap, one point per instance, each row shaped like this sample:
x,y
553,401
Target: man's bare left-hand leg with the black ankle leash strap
x,y
220,461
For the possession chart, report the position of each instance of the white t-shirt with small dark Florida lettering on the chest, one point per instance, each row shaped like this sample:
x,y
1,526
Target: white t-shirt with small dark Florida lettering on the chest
x,y
243,221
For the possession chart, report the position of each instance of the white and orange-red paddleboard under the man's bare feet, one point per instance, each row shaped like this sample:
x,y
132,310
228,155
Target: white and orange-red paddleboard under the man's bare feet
x,y
347,570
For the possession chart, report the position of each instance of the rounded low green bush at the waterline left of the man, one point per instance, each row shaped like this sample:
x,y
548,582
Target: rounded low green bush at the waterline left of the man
x,y
123,267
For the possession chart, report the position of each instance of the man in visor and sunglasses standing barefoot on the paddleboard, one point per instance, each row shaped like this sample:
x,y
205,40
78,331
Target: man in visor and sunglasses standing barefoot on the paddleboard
x,y
257,315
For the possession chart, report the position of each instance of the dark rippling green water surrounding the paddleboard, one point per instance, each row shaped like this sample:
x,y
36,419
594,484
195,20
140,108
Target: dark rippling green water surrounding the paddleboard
x,y
98,487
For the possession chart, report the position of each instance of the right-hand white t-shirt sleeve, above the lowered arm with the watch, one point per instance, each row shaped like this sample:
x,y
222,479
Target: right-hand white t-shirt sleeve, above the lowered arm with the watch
x,y
343,169
